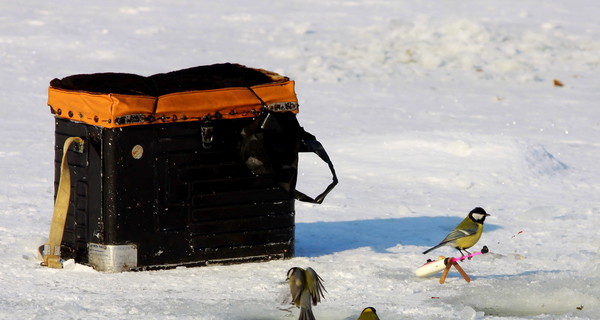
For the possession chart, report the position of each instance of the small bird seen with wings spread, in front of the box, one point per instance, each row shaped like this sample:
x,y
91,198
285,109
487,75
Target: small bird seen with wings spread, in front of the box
x,y
306,287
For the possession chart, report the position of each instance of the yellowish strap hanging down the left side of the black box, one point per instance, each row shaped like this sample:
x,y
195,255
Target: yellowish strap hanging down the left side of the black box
x,y
61,206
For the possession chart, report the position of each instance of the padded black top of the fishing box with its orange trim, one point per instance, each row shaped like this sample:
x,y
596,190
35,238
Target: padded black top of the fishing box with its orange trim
x,y
220,91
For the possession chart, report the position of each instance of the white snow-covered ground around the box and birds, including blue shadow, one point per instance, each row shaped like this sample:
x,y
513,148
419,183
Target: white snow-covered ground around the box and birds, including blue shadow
x,y
427,109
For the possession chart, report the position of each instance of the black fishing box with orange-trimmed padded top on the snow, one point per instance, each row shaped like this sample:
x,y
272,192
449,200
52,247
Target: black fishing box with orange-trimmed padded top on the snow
x,y
191,167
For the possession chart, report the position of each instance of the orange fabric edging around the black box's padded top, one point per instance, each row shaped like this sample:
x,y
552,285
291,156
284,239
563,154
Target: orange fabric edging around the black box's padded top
x,y
120,110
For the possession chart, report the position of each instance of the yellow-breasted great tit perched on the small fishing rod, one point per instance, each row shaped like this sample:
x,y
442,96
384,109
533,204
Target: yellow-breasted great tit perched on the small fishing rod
x,y
466,234
